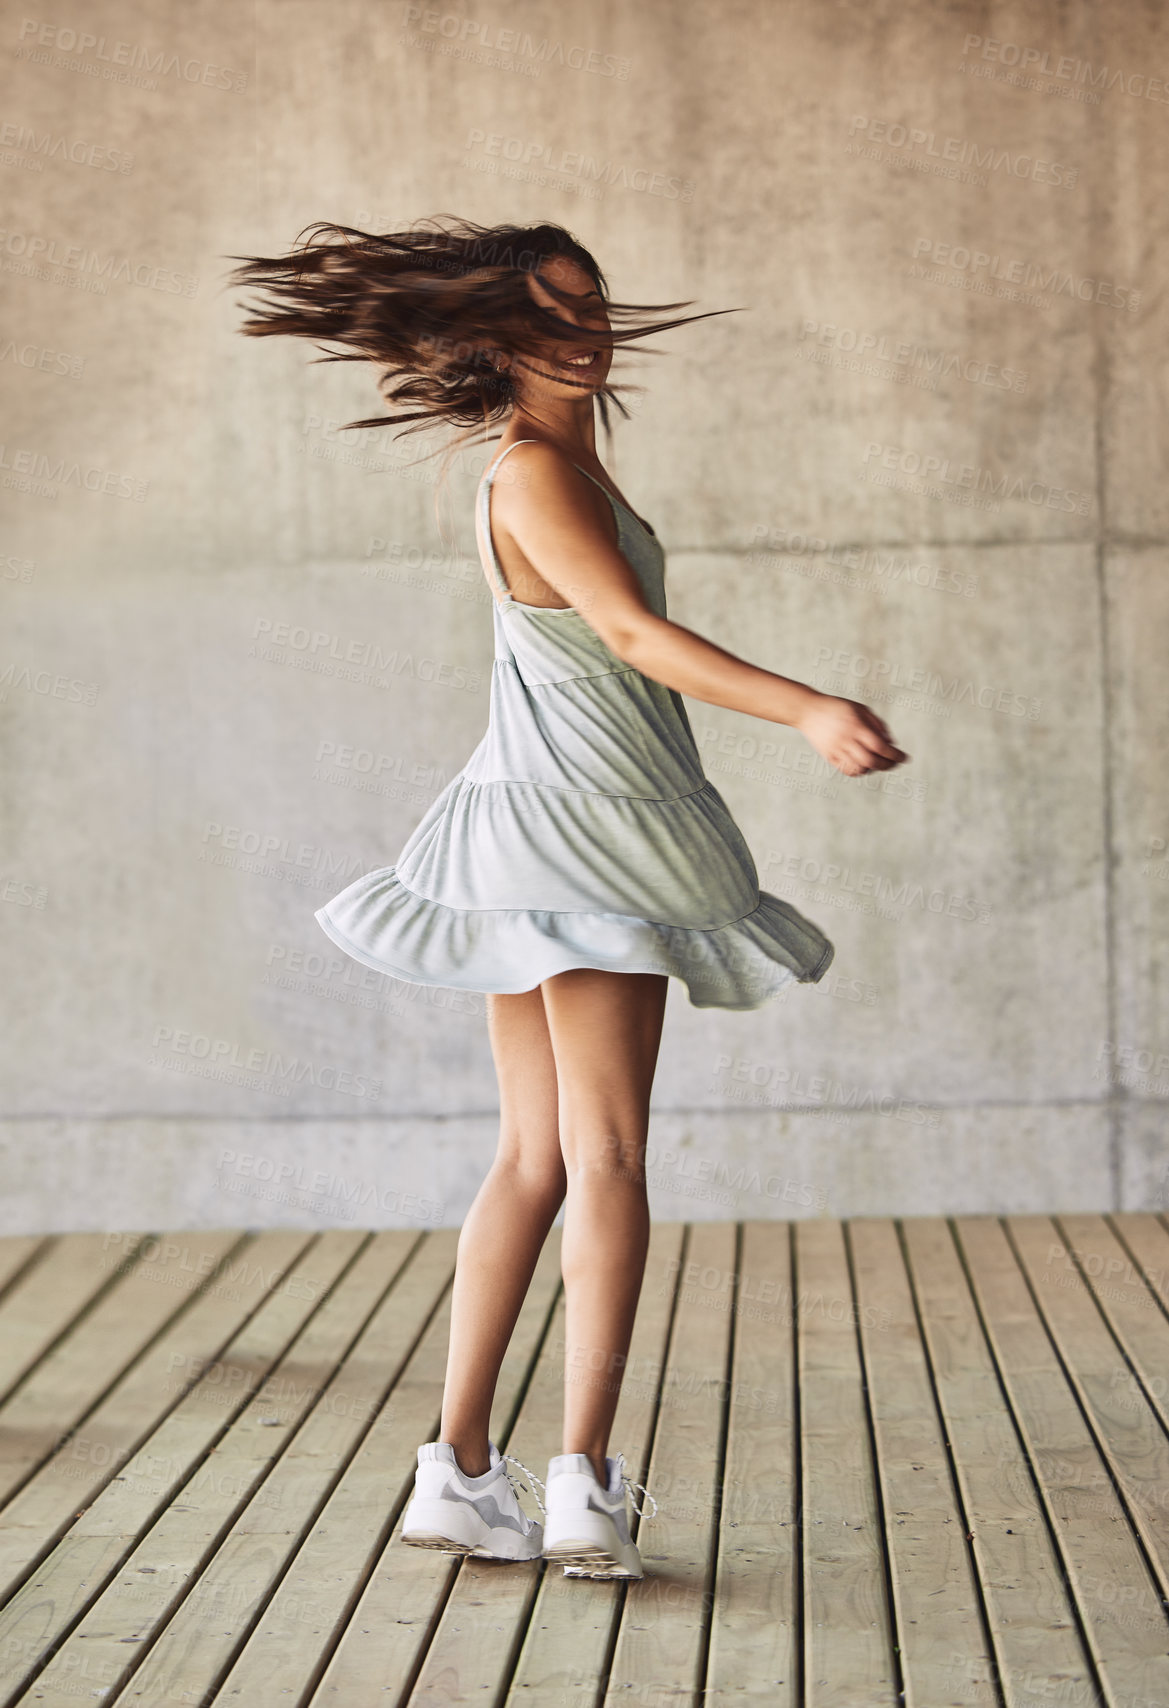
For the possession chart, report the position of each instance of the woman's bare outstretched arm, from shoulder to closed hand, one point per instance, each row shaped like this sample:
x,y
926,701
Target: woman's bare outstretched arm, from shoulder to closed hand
x,y
553,518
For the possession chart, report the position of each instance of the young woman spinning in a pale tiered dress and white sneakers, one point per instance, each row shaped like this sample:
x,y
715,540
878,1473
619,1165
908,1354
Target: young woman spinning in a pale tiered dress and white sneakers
x,y
582,858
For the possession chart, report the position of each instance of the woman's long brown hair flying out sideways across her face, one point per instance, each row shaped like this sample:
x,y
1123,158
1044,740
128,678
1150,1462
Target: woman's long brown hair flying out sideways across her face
x,y
433,307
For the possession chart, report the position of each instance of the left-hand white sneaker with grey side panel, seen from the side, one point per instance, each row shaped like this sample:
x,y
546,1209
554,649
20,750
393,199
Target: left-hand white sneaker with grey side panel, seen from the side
x,y
471,1516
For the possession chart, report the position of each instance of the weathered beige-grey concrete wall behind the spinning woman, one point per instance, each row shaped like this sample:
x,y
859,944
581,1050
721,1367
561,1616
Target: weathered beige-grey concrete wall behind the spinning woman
x,y
924,467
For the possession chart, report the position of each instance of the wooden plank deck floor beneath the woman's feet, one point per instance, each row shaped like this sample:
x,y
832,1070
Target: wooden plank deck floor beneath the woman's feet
x,y
908,1463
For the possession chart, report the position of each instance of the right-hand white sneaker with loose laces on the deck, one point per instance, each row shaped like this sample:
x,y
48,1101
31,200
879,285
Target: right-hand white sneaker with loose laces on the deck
x,y
585,1526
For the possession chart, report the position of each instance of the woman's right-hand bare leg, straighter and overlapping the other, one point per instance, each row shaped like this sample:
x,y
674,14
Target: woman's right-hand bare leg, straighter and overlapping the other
x,y
606,1031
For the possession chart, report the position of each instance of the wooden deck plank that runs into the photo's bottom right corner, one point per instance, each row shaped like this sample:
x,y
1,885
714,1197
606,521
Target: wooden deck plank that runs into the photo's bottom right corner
x,y
1129,1646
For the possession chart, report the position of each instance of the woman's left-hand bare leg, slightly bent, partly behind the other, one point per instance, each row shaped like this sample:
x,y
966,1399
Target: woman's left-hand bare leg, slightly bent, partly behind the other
x,y
507,1225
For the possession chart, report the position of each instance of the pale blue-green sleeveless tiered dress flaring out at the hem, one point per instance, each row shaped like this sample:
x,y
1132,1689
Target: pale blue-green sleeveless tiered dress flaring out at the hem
x,y
582,833
